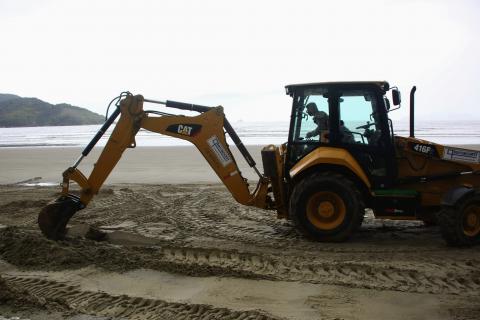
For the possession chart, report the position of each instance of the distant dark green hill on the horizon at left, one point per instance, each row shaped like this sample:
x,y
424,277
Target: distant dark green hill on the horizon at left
x,y
16,111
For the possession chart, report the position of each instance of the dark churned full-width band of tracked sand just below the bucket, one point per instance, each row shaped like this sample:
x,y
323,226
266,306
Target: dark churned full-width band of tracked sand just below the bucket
x,y
16,245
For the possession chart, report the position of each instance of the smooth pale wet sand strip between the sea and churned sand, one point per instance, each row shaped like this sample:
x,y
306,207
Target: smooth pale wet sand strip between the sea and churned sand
x,y
138,165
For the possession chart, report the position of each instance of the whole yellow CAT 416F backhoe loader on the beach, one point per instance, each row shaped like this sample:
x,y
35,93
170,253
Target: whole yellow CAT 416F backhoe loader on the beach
x,y
341,157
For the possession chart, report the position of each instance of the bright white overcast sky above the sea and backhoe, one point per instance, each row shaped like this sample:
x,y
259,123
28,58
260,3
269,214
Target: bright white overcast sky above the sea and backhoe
x,y
240,54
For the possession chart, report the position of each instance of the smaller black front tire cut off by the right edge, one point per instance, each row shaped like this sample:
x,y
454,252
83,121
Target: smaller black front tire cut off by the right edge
x,y
460,224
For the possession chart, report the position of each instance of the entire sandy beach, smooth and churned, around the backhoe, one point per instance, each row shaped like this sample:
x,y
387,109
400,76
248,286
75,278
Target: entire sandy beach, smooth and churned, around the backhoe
x,y
185,250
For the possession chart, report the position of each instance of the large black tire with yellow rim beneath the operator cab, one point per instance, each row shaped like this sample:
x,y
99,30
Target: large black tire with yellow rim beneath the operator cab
x,y
326,206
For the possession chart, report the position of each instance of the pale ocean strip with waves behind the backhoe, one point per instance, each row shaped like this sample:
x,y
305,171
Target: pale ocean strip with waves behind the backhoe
x,y
251,133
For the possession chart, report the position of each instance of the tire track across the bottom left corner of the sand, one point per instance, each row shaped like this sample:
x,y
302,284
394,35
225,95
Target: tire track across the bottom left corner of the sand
x,y
121,306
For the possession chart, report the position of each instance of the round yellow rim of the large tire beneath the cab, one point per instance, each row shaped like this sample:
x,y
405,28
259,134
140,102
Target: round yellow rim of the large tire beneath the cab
x,y
326,210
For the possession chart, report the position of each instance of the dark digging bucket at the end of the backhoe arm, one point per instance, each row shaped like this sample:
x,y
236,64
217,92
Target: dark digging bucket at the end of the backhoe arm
x,y
53,218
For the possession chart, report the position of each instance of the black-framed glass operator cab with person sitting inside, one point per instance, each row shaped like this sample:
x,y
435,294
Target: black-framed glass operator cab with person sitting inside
x,y
347,115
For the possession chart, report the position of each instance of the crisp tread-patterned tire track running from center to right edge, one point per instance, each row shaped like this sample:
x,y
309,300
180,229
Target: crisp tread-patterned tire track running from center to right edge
x,y
351,274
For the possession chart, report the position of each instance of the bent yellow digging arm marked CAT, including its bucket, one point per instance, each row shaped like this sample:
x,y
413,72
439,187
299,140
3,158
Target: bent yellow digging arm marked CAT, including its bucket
x,y
206,131
